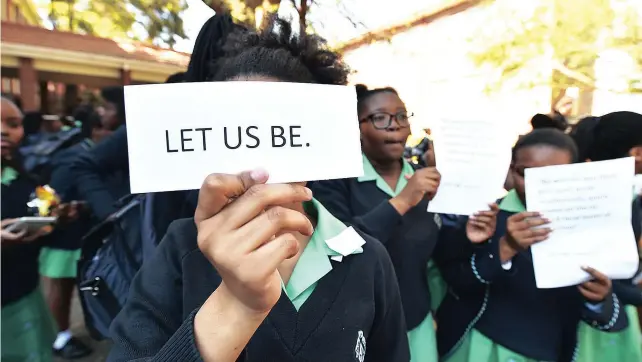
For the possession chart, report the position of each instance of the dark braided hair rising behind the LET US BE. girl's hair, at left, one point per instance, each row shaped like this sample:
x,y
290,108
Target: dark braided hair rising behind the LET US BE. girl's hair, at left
x,y
208,47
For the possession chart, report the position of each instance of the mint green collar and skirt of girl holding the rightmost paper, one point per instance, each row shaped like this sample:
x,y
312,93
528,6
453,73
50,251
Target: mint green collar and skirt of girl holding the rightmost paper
x,y
476,347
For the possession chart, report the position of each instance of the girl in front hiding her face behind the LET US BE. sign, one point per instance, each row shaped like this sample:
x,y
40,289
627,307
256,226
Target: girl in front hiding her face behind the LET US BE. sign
x,y
325,310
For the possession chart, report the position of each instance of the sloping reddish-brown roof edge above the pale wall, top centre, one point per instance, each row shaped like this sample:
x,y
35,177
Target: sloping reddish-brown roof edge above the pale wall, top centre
x,y
384,34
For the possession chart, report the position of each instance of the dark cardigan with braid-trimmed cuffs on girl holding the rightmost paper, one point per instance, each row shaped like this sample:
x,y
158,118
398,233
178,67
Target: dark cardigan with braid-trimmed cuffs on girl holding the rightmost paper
x,y
506,306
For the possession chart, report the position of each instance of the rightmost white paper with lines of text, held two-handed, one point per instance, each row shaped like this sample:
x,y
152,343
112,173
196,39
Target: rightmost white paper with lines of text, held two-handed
x,y
589,206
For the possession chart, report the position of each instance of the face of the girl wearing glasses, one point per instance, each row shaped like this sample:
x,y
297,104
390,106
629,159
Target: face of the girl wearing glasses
x,y
385,126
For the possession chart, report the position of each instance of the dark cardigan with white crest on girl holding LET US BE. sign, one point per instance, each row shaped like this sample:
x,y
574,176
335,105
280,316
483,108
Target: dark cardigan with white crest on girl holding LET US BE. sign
x,y
359,295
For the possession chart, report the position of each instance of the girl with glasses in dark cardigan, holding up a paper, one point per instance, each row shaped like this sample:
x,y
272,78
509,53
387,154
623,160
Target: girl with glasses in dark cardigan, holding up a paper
x,y
389,202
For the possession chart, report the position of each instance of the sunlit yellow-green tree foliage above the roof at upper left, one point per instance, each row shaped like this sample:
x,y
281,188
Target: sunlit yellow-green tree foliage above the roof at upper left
x,y
159,20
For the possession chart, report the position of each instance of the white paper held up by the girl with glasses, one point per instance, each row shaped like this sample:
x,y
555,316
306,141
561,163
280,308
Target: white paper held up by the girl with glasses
x,y
473,158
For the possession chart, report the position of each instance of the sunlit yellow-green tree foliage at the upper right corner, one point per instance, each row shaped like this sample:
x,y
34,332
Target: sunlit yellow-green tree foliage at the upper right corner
x,y
566,36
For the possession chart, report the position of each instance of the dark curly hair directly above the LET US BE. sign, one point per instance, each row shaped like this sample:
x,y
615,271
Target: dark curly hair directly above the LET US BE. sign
x,y
277,52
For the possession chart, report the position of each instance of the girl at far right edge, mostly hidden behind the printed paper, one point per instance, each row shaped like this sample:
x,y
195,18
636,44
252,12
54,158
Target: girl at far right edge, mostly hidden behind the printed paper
x,y
612,136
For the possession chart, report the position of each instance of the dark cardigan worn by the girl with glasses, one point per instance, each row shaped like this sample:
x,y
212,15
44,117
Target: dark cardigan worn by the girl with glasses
x,y
409,239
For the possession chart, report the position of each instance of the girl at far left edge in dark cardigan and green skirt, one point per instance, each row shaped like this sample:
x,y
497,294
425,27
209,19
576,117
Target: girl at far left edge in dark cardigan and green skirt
x,y
27,327
